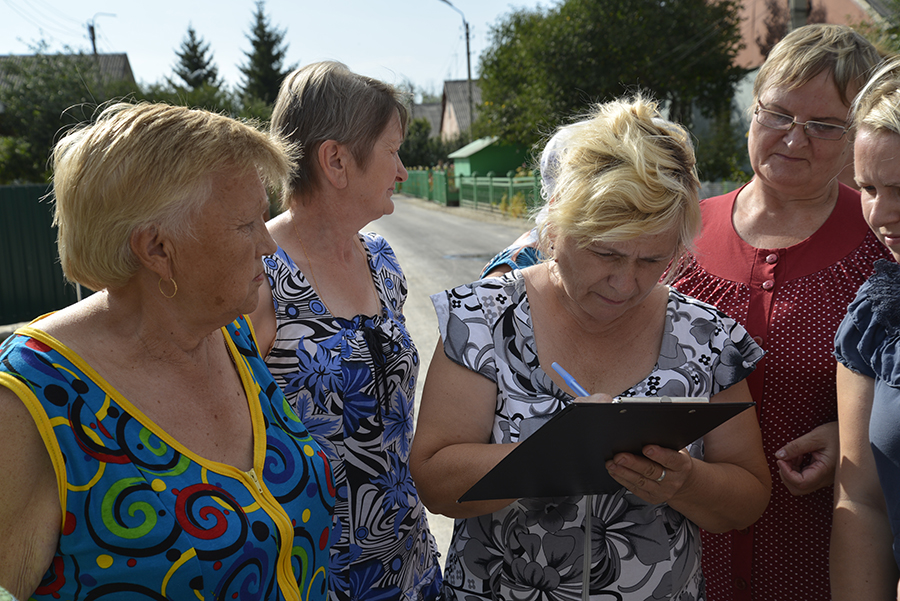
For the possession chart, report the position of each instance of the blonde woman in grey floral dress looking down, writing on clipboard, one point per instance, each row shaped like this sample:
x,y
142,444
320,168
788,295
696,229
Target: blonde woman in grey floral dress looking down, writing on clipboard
x,y
625,208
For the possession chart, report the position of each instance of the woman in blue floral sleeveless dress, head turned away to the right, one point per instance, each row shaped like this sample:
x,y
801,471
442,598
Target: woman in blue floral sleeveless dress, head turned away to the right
x,y
331,322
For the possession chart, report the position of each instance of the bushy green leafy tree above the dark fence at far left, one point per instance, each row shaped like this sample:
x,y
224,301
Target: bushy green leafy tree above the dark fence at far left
x,y
45,94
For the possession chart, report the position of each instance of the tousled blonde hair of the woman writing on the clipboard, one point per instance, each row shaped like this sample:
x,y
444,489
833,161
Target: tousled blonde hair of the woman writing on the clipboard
x,y
625,172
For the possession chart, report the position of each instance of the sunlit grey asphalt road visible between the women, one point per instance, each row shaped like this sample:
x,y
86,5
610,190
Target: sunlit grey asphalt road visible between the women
x,y
439,248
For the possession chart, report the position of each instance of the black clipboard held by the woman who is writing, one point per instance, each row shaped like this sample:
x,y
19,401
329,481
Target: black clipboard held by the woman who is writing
x,y
566,456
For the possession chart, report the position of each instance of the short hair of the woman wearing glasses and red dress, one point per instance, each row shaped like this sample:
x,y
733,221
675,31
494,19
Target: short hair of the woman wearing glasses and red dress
x,y
807,51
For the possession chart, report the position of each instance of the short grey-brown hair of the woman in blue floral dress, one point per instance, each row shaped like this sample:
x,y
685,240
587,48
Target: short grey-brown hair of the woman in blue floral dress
x,y
327,101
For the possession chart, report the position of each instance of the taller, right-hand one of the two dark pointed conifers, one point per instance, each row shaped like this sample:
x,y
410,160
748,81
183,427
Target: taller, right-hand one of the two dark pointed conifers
x,y
264,70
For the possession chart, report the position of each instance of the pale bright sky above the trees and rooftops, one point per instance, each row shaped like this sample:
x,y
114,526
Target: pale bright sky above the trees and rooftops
x,y
420,41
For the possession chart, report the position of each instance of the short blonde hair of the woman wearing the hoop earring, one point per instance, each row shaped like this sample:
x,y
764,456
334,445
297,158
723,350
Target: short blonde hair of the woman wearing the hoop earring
x,y
144,165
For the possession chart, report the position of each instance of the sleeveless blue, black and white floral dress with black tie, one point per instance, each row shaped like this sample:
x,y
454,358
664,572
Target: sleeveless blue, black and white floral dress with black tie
x,y
353,382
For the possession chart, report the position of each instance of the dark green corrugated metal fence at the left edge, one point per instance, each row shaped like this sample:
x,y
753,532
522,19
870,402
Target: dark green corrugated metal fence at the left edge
x,y
31,279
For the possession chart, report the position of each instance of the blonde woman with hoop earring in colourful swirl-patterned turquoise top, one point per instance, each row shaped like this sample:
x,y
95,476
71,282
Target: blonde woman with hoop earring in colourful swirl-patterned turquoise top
x,y
145,450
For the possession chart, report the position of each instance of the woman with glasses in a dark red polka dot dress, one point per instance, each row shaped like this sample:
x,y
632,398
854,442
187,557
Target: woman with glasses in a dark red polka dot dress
x,y
784,256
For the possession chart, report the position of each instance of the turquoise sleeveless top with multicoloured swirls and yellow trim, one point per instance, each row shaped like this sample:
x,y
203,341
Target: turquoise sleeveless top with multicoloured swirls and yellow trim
x,y
144,517
